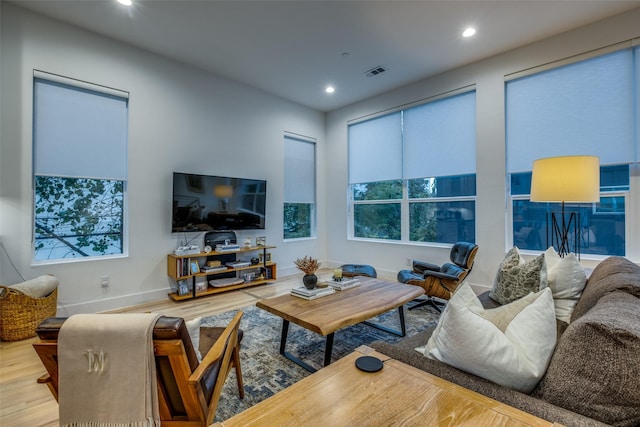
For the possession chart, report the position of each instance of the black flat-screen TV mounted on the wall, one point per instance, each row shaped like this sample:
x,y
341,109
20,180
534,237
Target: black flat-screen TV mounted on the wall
x,y
203,202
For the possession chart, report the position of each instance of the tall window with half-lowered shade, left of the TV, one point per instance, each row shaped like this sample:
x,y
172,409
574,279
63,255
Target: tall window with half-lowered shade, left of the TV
x,y
80,145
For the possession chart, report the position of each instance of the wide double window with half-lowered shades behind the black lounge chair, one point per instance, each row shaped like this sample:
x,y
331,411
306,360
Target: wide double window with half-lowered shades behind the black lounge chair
x,y
400,188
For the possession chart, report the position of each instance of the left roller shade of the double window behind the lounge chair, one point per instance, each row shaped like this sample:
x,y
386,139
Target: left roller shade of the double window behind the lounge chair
x,y
375,149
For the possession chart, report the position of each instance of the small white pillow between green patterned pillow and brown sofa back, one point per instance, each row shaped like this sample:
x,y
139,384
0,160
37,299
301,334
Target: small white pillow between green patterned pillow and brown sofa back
x,y
566,279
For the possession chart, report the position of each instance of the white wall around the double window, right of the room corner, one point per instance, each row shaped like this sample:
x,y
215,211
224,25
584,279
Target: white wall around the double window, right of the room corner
x,y
488,77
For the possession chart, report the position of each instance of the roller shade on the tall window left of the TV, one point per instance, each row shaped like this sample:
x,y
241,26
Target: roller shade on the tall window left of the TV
x,y
78,132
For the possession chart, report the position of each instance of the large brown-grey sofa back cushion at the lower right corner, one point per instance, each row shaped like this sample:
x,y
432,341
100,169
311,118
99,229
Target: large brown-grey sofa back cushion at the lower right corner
x,y
595,370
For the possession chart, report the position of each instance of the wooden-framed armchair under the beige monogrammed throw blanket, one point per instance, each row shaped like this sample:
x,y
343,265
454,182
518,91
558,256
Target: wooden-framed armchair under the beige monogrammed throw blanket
x,y
188,390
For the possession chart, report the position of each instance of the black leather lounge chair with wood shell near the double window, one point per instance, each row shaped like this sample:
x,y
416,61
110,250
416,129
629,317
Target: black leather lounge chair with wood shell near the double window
x,y
441,281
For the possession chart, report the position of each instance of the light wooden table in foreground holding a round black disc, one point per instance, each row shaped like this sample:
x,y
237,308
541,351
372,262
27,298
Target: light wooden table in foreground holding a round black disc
x,y
399,394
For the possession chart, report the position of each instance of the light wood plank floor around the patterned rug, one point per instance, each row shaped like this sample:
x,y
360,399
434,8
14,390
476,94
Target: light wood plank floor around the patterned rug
x,y
24,403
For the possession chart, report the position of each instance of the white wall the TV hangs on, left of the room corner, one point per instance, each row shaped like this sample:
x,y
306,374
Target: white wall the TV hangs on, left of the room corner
x,y
180,119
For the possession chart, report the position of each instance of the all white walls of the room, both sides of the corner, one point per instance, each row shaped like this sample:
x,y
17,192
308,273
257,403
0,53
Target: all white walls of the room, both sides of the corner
x,y
182,118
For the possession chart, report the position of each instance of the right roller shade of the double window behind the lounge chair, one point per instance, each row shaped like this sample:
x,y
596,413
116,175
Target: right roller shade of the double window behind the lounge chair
x,y
440,137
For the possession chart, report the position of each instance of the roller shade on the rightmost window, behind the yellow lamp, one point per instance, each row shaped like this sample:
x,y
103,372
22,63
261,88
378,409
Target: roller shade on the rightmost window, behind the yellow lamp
x,y
585,108
